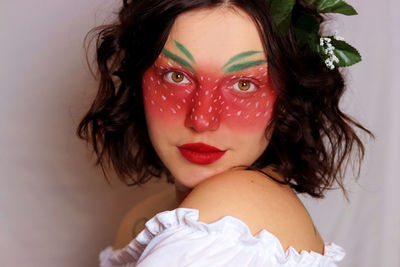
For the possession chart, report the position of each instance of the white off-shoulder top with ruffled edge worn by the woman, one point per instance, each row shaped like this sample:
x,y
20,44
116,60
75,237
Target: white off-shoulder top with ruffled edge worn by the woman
x,y
177,238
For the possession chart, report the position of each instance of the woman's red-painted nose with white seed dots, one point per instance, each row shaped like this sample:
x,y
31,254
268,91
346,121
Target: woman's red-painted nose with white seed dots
x,y
203,114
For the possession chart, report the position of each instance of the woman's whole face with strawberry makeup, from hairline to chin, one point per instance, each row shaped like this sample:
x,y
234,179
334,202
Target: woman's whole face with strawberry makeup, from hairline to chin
x,y
208,97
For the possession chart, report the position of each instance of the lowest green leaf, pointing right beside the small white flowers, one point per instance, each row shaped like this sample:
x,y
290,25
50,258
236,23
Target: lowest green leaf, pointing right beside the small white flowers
x,y
346,53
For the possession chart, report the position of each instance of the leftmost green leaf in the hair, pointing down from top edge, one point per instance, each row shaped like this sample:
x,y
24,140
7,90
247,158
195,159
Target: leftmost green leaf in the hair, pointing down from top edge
x,y
281,13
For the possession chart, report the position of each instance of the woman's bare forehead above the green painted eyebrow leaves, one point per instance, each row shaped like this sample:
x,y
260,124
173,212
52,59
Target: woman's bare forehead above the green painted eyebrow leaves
x,y
214,35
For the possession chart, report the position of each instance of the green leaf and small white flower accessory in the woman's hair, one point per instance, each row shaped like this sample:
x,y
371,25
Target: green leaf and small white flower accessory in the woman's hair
x,y
333,50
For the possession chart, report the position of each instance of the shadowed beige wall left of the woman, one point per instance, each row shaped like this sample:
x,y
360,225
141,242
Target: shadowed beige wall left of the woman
x,y
55,207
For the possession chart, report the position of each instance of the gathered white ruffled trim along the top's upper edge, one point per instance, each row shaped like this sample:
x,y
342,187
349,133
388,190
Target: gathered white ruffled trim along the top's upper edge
x,y
229,227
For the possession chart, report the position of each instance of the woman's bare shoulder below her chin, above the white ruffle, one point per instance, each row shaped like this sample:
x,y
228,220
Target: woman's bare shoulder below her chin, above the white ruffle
x,y
259,202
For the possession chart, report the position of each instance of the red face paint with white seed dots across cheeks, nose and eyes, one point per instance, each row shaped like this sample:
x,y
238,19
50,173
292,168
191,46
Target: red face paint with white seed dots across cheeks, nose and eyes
x,y
208,98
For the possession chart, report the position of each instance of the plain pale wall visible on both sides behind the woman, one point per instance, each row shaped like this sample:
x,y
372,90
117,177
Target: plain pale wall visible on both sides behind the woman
x,y
57,210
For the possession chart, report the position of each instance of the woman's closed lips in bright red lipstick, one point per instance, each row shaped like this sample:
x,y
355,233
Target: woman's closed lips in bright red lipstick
x,y
199,153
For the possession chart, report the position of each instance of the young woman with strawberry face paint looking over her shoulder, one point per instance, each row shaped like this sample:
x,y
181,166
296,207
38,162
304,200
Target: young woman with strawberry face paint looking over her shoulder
x,y
236,108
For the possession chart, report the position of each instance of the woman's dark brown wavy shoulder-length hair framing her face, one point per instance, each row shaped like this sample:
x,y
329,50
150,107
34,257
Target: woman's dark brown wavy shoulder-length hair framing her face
x,y
312,138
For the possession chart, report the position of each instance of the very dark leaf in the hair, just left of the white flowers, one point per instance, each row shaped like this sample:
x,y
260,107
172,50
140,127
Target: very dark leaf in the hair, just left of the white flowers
x,y
306,28
